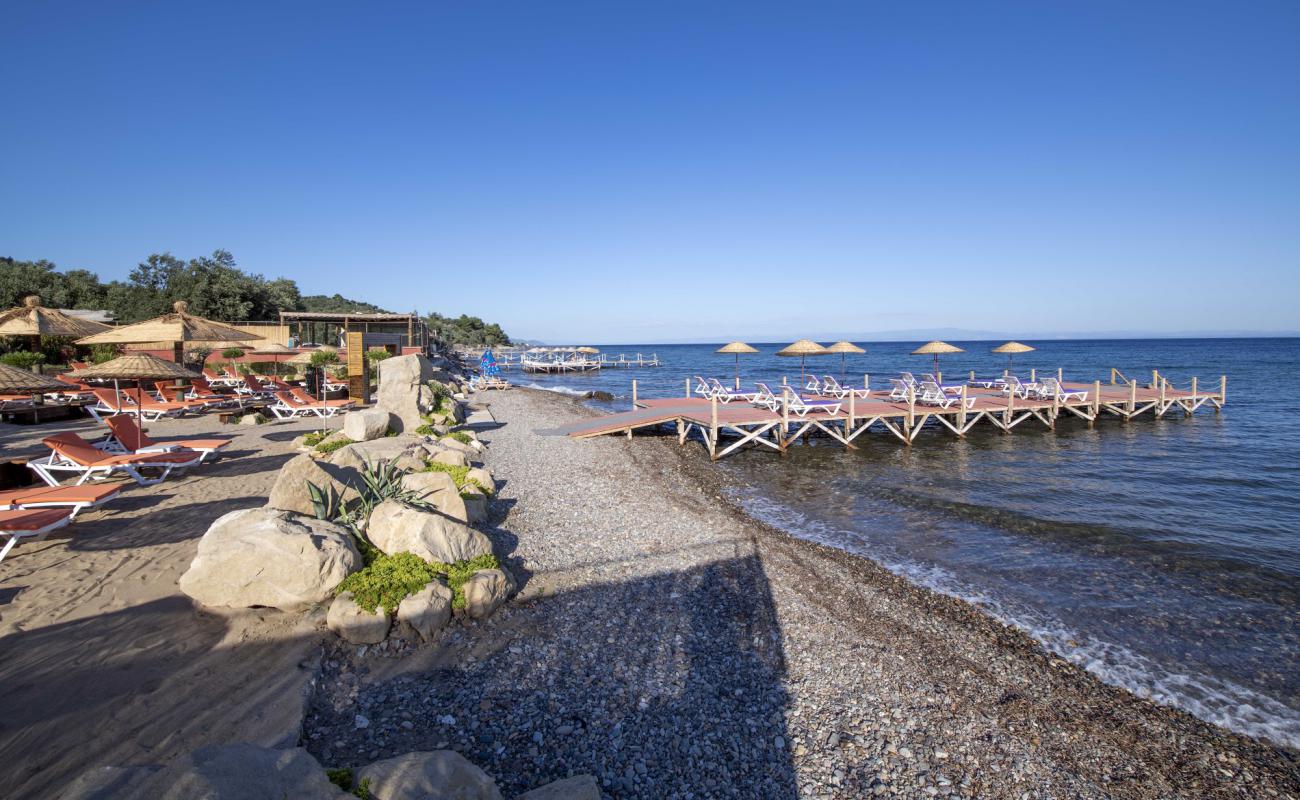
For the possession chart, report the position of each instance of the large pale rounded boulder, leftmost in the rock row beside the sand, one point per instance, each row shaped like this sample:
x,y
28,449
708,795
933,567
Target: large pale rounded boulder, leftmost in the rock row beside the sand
x,y
267,557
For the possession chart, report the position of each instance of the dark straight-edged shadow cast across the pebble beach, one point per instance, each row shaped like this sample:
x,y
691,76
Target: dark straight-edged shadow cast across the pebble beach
x,y
687,669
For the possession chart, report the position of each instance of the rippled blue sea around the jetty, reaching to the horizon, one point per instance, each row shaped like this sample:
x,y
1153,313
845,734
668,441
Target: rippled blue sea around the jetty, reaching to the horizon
x,y
1163,556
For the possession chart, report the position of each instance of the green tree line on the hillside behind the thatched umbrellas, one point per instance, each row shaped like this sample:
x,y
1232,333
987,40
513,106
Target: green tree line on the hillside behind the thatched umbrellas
x,y
214,287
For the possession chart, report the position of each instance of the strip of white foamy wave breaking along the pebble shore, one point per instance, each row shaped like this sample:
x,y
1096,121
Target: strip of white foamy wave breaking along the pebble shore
x,y
1208,698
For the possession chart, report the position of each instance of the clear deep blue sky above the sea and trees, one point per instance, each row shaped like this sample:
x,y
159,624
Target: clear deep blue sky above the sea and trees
x,y
679,171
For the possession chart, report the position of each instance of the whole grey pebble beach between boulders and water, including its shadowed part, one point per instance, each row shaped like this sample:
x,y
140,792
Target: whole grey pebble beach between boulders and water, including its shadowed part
x,y
673,647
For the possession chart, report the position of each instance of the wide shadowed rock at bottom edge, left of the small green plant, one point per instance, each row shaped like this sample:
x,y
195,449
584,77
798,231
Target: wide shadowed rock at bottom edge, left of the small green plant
x,y
232,772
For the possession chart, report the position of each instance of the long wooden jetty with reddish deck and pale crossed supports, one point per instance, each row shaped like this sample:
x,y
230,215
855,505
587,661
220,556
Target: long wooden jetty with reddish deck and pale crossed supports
x,y
726,427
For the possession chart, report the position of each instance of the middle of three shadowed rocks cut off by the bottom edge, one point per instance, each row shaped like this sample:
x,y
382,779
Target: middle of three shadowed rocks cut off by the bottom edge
x,y
428,776
